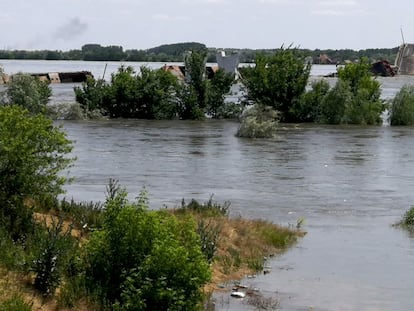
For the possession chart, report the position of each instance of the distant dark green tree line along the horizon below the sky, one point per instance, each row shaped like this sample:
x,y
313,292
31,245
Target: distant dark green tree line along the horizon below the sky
x,y
175,53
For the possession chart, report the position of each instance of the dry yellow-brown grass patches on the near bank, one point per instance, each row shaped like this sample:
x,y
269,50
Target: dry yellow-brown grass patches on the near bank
x,y
242,248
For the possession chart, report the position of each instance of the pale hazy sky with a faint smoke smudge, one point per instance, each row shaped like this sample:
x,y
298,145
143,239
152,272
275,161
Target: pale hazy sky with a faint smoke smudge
x,y
253,24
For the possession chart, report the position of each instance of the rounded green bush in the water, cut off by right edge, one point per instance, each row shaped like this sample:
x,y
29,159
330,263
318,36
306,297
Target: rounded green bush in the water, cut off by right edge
x,y
402,107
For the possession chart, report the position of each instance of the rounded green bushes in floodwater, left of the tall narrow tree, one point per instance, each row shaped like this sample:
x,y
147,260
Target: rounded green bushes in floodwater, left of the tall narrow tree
x,y
147,95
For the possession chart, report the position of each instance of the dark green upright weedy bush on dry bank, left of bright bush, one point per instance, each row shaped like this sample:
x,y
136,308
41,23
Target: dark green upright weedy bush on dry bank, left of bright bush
x,y
56,245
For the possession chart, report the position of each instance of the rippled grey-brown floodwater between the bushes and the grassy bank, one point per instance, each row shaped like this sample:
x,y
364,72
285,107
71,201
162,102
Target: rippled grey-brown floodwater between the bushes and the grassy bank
x,y
349,183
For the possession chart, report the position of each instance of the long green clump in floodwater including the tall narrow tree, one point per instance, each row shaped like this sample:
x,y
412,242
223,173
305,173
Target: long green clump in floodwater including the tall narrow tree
x,y
157,94
